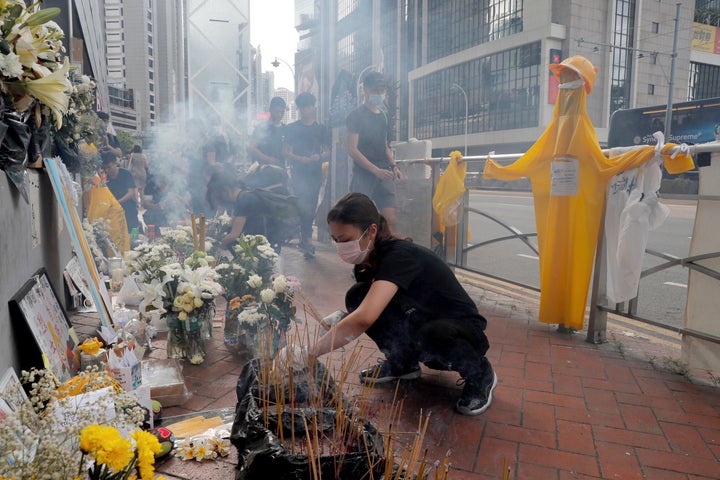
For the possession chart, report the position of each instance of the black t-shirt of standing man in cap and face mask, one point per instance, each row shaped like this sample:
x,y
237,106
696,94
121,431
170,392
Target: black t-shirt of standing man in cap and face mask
x,y
373,131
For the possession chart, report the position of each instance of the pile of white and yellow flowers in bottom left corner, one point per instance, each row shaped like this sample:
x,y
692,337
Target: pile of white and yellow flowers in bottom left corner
x,y
73,431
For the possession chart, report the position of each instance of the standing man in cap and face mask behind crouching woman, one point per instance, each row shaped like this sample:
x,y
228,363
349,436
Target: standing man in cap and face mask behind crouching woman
x,y
374,171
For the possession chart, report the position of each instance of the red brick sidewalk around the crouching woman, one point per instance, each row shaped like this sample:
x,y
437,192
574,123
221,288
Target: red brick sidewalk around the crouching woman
x,y
563,408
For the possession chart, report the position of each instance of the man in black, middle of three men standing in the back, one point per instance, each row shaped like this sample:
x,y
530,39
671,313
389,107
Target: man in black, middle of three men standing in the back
x,y
307,146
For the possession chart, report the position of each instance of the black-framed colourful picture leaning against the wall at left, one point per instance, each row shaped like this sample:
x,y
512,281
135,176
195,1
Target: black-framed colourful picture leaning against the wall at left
x,y
37,313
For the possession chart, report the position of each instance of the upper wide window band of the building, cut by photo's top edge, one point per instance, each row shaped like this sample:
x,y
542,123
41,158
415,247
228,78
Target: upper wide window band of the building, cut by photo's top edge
x,y
458,25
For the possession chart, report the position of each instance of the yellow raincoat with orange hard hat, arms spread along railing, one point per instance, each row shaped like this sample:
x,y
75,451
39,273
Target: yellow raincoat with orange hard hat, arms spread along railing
x,y
569,176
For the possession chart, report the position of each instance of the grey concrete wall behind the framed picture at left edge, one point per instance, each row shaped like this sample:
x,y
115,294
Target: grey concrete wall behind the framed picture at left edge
x,y
31,236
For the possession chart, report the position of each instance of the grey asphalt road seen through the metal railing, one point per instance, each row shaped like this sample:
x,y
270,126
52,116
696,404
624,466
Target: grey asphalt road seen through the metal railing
x,y
662,295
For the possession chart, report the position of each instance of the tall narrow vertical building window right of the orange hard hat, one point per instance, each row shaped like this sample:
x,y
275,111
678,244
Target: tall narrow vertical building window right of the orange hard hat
x,y
622,58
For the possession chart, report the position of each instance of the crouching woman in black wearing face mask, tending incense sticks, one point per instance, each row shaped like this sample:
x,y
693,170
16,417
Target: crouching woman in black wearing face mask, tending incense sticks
x,y
409,302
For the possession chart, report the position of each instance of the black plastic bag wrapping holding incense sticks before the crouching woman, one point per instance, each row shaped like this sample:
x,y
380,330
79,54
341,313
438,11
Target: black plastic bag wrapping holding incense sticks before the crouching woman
x,y
260,453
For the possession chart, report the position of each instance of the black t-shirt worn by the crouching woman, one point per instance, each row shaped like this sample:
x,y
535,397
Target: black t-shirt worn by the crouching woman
x,y
423,279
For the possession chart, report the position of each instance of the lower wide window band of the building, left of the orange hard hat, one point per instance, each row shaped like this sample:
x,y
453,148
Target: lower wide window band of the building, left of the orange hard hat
x,y
503,93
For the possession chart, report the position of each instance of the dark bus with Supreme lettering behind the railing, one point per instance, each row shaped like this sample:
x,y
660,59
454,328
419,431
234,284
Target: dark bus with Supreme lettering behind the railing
x,y
693,122
